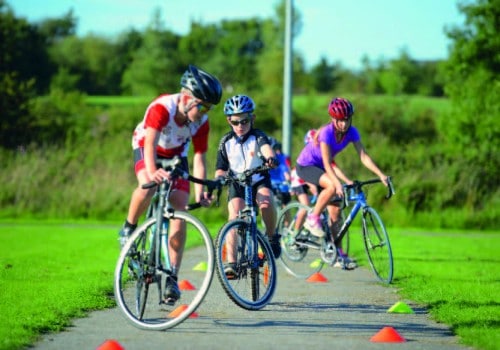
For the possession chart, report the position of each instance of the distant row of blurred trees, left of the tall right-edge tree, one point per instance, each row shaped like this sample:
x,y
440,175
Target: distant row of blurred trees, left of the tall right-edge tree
x,y
47,57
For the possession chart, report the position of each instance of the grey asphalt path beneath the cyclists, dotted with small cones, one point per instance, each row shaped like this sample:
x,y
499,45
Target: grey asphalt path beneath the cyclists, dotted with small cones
x,y
344,312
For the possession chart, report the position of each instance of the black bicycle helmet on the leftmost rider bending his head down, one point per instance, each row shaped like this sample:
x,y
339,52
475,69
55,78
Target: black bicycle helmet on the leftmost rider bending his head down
x,y
203,85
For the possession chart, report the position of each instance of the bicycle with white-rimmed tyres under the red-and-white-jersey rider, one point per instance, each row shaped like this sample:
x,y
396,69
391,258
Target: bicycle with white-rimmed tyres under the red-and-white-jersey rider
x,y
144,260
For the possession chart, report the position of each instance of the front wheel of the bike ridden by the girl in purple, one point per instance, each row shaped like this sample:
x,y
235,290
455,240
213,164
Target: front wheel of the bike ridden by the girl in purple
x,y
377,245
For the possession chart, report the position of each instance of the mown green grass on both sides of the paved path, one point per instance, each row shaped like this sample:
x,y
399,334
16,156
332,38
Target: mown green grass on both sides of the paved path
x,y
52,272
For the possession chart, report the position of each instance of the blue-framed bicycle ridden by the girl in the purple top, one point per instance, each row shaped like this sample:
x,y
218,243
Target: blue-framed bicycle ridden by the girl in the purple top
x,y
296,244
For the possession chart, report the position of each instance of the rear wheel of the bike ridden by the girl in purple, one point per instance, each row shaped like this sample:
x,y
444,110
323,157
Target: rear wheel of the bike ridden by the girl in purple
x,y
295,259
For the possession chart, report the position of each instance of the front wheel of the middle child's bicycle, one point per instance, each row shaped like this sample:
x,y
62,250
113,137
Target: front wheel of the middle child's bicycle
x,y
254,286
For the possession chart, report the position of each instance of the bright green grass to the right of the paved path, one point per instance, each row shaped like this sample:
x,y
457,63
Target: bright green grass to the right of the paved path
x,y
455,275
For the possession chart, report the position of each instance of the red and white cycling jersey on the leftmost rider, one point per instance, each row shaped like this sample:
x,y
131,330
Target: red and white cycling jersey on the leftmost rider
x,y
174,138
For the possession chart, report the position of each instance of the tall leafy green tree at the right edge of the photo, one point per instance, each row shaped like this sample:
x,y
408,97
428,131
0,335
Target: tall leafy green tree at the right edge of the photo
x,y
473,84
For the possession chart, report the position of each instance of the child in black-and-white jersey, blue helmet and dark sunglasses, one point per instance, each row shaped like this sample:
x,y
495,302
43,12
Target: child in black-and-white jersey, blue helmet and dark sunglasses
x,y
239,150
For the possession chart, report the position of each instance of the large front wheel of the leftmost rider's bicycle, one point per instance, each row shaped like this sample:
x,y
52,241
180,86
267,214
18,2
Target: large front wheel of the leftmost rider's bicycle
x,y
138,283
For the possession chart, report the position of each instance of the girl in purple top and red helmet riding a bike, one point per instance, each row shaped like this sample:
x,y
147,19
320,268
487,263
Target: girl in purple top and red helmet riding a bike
x,y
315,163
